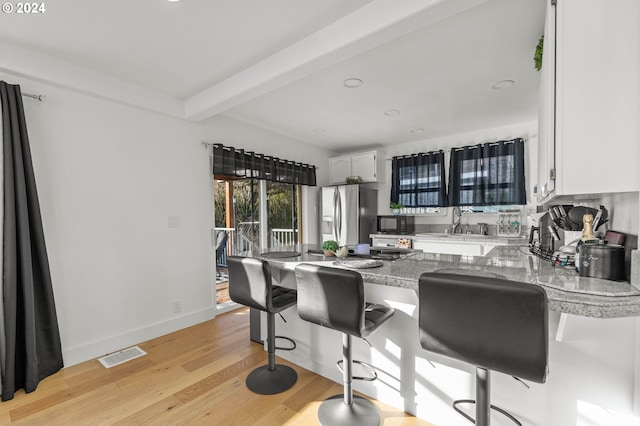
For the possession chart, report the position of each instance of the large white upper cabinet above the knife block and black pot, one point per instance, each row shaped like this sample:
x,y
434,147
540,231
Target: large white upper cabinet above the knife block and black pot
x,y
589,128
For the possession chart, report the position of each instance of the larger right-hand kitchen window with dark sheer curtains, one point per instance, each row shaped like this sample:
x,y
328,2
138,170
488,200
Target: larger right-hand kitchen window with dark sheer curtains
x,y
488,175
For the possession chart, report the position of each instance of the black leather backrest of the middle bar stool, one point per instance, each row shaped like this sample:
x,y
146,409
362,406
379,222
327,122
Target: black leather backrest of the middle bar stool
x,y
331,297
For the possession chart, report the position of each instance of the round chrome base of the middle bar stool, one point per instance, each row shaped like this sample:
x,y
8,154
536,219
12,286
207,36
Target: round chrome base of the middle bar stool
x,y
362,412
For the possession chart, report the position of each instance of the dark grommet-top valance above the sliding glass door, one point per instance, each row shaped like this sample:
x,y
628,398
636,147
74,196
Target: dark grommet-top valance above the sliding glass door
x,y
232,162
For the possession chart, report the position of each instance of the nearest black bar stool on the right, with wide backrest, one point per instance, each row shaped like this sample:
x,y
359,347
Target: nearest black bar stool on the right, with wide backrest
x,y
491,323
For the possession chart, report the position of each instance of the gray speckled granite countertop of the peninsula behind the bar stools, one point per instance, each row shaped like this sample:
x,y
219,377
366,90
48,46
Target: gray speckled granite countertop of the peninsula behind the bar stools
x,y
567,292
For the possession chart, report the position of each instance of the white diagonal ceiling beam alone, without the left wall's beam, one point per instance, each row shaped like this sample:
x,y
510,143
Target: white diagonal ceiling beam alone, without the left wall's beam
x,y
370,26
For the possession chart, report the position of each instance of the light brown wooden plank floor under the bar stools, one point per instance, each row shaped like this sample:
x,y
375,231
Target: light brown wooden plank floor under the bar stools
x,y
191,377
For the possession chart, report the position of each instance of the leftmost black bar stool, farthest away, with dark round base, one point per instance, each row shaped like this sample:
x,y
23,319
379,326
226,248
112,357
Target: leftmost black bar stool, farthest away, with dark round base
x,y
250,285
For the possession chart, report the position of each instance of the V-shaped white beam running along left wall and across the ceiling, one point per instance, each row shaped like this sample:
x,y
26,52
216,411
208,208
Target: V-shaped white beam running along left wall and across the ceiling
x,y
368,27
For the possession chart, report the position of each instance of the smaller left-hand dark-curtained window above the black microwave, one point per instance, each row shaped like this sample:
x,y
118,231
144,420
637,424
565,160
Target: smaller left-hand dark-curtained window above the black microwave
x,y
418,180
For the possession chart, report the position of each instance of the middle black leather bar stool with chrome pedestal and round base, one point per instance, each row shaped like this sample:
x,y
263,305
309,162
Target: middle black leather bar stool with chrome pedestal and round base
x,y
334,298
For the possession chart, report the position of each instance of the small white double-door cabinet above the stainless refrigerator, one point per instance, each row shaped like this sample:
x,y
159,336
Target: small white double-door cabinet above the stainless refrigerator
x,y
366,165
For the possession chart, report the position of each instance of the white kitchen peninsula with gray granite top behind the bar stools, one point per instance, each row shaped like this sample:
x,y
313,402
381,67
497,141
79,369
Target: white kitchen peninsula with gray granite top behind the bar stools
x,y
591,359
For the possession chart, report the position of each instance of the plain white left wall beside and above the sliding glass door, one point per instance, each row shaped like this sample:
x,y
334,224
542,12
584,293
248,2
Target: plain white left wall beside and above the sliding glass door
x,y
109,176
